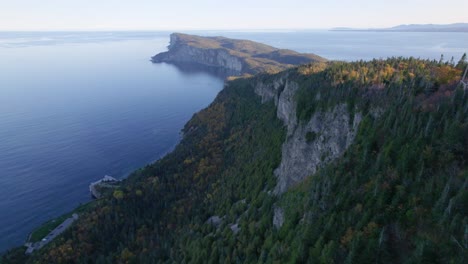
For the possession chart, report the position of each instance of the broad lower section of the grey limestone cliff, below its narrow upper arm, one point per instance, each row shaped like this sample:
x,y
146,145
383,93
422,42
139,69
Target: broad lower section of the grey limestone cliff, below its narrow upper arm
x,y
301,158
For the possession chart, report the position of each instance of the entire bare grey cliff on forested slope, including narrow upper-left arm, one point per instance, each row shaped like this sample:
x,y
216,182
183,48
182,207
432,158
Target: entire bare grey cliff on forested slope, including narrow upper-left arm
x,y
311,144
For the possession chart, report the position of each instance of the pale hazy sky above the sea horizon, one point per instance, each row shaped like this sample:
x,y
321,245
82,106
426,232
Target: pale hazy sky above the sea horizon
x,y
218,14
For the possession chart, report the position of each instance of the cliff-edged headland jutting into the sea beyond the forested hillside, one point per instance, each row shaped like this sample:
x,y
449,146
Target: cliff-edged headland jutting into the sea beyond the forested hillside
x,y
231,56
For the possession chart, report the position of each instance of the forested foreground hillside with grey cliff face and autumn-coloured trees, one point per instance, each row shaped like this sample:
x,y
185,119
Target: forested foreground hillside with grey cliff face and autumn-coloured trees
x,y
362,162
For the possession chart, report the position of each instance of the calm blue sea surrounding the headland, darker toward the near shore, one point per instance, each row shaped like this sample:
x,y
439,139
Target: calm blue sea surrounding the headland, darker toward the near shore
x,y
75,106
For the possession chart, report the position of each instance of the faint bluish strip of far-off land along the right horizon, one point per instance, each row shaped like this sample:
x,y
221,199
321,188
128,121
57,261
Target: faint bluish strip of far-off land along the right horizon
x,y
457,27
